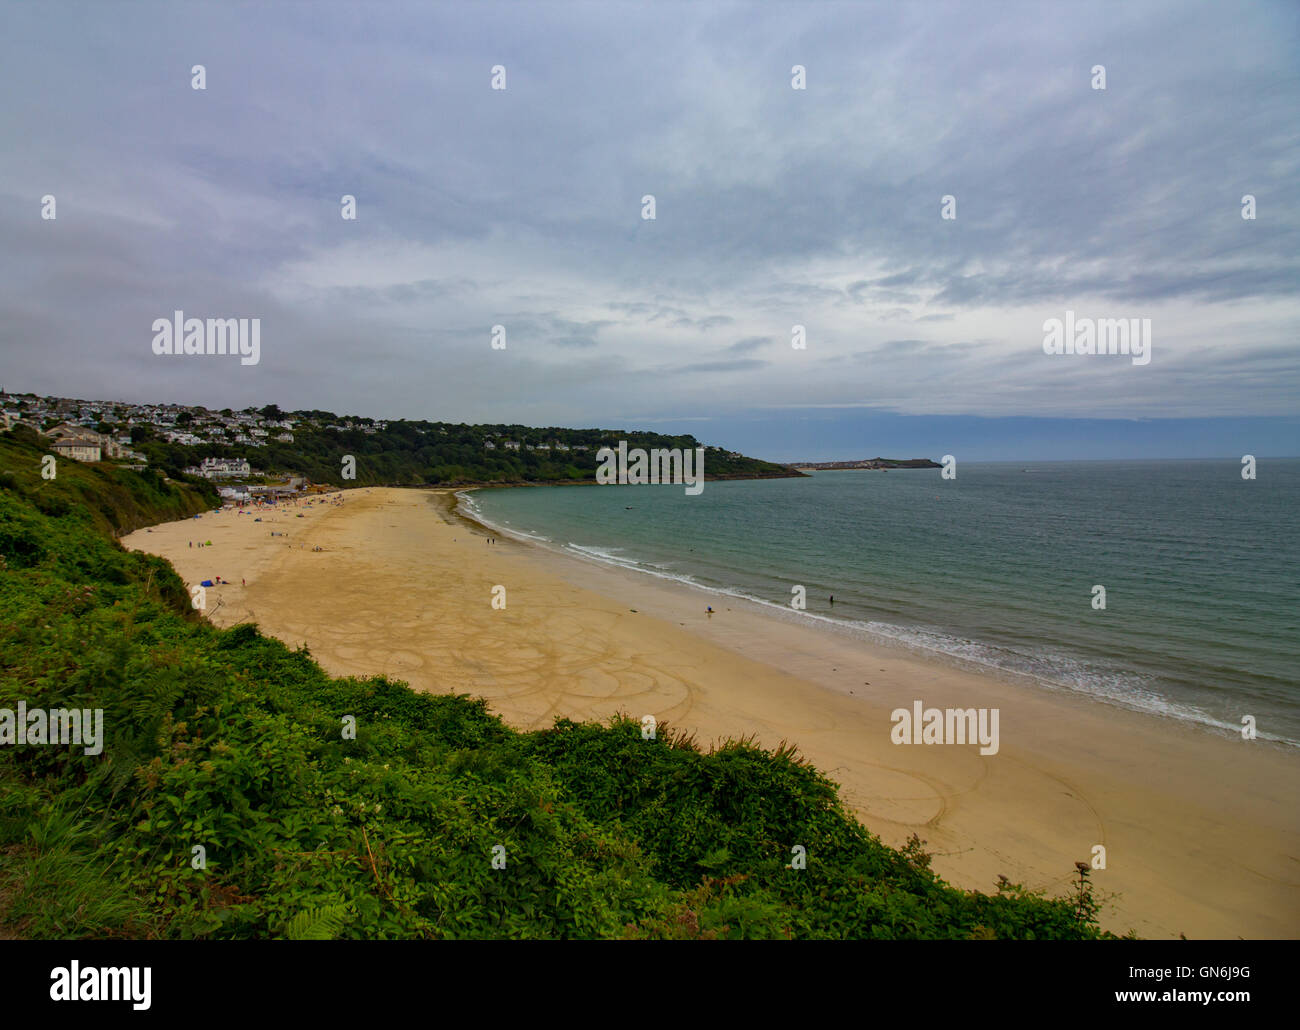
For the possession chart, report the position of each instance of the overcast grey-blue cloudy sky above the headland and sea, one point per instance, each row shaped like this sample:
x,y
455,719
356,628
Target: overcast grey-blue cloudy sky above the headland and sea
x,y
775,207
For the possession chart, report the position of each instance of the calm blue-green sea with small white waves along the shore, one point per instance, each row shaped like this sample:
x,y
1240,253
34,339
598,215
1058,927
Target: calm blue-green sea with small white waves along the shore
x,y
998,568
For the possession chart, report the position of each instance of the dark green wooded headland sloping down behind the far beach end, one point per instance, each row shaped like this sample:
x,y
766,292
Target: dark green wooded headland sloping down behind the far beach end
x,y
428,455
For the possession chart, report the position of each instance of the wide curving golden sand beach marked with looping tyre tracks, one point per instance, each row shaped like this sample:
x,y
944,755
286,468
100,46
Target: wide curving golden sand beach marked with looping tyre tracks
x,y
1202,833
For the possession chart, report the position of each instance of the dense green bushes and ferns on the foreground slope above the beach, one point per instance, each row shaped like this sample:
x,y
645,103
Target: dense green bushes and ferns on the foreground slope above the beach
x,y
232,743
